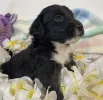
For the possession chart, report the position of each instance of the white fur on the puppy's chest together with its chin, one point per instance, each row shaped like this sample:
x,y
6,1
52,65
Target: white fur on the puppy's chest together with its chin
x,y
63,51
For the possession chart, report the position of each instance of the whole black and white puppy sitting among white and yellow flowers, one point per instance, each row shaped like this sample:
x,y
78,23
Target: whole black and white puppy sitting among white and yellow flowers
x,y
53,31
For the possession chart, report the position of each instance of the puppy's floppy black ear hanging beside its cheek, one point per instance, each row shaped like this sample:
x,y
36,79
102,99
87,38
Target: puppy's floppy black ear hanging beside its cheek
x,y
37,29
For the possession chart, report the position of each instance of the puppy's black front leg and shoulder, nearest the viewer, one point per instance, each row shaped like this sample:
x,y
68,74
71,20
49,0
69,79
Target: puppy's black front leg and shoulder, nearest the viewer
x,y
49,76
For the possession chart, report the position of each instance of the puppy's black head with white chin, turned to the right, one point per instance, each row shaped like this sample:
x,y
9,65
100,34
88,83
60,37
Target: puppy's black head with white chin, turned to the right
x,y
58,24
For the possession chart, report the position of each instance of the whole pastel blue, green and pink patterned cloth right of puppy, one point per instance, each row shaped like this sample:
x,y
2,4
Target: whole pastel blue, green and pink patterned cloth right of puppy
x,y
91,42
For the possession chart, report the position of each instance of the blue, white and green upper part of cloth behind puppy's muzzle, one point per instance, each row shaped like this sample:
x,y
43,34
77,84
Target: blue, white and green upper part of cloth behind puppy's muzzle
x,y
93,25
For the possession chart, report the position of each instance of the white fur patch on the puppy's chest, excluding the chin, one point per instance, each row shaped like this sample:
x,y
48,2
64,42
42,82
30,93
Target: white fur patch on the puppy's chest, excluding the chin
x,y
62,55
